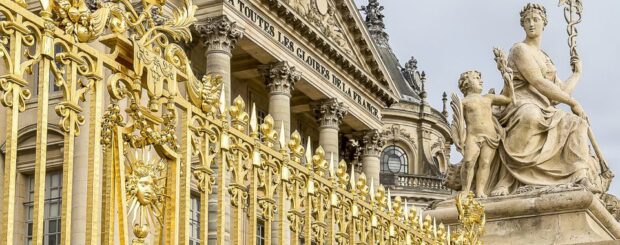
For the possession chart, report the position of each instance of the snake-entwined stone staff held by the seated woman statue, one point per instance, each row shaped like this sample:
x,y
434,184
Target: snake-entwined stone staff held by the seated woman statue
x,y
572,14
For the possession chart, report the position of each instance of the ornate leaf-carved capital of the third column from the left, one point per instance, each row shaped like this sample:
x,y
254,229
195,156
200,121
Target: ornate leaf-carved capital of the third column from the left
x,y
329,112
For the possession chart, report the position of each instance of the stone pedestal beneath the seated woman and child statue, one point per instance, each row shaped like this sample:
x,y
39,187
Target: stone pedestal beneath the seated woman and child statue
x,y
568,217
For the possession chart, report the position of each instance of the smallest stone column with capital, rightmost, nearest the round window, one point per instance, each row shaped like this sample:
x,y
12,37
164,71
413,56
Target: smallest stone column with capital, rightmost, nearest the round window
x,y
372,144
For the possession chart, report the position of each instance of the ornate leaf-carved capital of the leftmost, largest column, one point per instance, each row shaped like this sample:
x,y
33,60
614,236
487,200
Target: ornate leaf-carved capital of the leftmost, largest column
x,y
220,34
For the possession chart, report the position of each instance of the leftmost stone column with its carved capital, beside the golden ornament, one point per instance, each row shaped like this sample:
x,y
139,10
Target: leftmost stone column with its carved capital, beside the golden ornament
x,y
219,36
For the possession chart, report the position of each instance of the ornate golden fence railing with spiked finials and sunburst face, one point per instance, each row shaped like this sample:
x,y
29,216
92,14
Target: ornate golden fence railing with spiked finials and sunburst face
x,y
119,71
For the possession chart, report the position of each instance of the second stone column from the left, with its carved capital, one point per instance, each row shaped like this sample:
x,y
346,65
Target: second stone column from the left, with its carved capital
x,y
280,78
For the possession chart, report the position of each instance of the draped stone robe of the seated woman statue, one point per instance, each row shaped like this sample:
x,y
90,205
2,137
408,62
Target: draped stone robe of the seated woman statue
x,y
543,145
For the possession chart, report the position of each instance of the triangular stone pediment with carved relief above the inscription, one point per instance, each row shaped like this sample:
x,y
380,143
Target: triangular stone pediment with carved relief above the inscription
x,y
338,31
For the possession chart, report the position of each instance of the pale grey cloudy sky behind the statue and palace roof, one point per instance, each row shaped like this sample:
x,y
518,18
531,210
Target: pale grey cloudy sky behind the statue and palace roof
x,y
448,37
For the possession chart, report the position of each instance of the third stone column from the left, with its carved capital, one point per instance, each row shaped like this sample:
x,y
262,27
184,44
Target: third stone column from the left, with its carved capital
x,y
329,114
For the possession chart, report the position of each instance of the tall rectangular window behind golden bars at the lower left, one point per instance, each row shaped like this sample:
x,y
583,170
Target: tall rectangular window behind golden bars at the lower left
x,y
51,213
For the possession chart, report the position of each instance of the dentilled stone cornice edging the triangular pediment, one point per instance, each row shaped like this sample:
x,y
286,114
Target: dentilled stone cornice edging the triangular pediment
x,y
382,89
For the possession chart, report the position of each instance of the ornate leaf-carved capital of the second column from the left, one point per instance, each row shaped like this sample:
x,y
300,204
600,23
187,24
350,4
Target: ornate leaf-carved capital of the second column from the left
x,y
280,77
